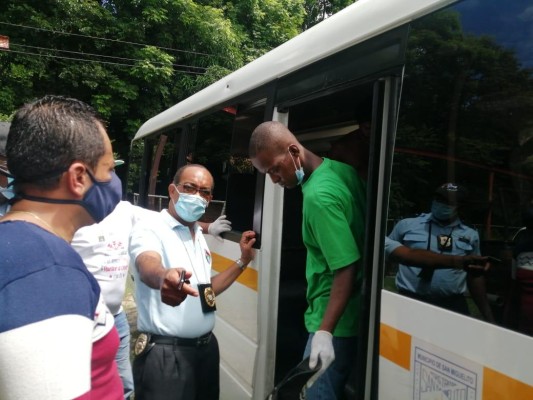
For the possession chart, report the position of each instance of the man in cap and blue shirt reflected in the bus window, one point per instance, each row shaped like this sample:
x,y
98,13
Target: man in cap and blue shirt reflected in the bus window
x,y
441,231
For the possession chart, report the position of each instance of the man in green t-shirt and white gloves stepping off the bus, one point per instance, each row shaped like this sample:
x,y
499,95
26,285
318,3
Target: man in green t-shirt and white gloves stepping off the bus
x,y
333,228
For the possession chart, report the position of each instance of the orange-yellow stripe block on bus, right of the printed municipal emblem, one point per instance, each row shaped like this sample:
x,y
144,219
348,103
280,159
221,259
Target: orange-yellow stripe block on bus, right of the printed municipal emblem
x,y
497,386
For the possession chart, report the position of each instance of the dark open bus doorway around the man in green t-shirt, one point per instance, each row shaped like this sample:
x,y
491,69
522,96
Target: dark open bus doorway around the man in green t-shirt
x,y
352,125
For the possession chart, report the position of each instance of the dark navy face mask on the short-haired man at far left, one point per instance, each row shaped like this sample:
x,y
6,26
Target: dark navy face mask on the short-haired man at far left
x,y
99,201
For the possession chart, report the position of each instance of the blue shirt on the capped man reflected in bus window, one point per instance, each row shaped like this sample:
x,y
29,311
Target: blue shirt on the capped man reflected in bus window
x,y
415,233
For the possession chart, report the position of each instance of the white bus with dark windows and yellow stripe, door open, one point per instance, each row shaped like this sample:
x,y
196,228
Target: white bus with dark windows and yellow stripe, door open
x,y
449,90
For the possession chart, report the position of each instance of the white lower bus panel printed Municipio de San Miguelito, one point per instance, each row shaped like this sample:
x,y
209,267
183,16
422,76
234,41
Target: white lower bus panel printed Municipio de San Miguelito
x,y
430,353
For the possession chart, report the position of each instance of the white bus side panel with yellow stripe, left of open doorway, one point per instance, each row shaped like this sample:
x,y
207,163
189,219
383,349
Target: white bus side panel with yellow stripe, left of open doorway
x,y
247,311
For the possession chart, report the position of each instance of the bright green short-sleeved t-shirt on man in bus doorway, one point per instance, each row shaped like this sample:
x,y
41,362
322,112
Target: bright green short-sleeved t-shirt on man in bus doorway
x,y
334,199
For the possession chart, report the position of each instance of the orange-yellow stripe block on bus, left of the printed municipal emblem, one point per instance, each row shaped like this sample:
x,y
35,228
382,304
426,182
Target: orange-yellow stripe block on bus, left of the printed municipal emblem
x,y
395,346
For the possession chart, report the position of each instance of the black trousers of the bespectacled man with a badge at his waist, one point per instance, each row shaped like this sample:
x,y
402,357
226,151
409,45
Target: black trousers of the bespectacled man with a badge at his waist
x,y
172,372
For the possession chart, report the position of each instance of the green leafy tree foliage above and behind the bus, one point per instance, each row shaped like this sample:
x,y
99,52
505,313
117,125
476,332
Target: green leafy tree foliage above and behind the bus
x,y
131,59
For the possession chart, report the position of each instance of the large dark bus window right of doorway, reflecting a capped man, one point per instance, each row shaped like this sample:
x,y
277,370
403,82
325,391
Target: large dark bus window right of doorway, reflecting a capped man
x,y
463,120
